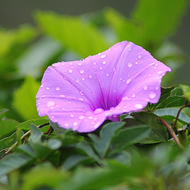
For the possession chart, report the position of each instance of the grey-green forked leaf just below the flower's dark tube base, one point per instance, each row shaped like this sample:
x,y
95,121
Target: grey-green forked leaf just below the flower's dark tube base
x,y
107,132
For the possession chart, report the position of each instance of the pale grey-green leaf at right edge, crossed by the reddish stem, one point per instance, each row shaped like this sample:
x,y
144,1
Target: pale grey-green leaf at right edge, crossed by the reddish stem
x,y
169,114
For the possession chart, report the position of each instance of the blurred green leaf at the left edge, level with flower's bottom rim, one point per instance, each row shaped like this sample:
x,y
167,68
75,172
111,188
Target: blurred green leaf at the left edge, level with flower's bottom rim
x,y
7,126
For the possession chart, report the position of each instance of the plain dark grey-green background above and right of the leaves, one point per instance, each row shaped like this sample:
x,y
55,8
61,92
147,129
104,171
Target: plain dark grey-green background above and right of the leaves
x,y
16,12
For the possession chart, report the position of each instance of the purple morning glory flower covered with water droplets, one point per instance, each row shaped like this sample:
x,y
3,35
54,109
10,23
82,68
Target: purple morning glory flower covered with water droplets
x,y
81,95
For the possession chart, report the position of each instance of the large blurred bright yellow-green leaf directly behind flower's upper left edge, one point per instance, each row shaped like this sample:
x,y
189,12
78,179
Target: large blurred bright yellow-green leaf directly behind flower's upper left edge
x,y
73,32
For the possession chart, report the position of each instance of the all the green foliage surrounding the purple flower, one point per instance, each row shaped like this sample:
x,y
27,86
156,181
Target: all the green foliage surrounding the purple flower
x,y
137,153
